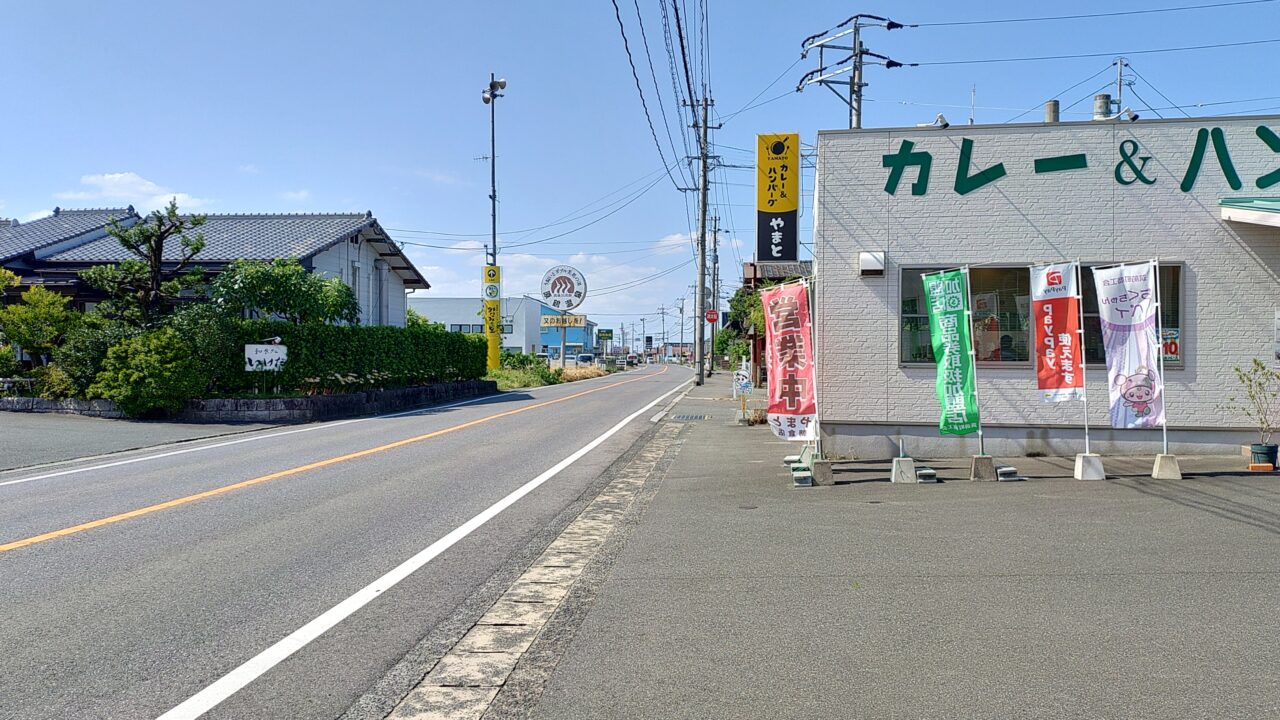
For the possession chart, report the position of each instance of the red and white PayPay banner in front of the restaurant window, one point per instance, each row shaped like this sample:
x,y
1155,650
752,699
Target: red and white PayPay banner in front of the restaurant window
x,y
1057,313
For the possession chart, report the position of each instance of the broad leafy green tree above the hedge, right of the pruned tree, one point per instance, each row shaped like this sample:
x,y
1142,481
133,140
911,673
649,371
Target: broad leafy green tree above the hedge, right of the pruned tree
x,y
287,290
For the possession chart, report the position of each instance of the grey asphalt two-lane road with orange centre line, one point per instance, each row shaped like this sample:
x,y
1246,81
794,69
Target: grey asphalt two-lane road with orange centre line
x,y
131,617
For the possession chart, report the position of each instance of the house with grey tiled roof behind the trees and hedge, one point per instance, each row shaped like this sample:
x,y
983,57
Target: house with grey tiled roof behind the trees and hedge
x,y
353,247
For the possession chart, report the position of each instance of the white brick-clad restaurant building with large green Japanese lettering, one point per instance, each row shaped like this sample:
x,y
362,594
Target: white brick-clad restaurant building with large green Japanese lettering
x,y
1200,195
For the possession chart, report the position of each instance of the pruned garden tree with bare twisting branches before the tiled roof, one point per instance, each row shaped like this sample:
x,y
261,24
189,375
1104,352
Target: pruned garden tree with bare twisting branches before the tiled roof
x,y
143,288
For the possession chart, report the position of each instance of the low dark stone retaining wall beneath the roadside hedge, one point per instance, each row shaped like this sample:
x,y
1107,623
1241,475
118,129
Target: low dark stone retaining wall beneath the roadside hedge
x,y
276,411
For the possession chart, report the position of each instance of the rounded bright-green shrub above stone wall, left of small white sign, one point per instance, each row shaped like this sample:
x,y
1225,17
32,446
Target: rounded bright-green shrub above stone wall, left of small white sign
x,y
150,373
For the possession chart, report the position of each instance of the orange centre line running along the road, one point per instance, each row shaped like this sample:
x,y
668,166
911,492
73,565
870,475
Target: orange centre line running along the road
x,y
260,480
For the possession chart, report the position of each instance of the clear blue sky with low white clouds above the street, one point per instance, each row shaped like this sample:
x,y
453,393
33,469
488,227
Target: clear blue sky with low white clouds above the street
x,y
341,107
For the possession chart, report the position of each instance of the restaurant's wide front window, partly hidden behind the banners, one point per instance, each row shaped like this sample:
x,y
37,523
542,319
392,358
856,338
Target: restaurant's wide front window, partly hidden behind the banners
x,y
1000,299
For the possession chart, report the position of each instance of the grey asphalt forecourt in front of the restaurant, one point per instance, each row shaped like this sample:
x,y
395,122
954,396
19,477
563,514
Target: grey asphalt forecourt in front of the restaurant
x,y
729,594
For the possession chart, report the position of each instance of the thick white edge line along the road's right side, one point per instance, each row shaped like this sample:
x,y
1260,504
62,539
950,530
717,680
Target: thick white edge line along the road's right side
x,y
231,683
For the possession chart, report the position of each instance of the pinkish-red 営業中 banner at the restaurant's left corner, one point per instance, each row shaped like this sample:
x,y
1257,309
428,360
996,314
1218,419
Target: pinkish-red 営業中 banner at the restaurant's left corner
x,y
789,352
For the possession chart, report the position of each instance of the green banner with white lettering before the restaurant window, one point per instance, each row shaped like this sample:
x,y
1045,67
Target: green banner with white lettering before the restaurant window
x,y
948,298
